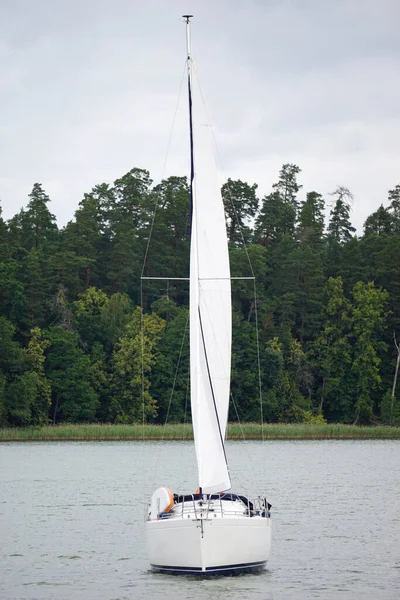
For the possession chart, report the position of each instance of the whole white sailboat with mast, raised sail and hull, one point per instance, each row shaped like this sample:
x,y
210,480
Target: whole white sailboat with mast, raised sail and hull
x,y
213,531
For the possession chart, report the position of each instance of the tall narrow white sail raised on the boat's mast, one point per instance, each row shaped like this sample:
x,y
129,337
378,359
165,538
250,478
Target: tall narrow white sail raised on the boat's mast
x,y
210,307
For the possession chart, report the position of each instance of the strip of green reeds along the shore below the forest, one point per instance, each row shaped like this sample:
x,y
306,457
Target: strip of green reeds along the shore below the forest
x,y
276,431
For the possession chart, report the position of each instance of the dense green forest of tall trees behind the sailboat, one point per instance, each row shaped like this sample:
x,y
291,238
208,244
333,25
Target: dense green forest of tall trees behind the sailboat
x,y
328,306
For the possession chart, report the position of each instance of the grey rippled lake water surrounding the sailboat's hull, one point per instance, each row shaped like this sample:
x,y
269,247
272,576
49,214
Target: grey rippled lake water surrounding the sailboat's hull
x,y
71,519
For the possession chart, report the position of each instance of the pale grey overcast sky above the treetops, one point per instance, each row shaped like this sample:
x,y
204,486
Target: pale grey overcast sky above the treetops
x,y
88,90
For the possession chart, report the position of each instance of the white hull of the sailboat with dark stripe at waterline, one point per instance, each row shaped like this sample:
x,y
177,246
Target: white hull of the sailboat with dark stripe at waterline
x,y
210,544
